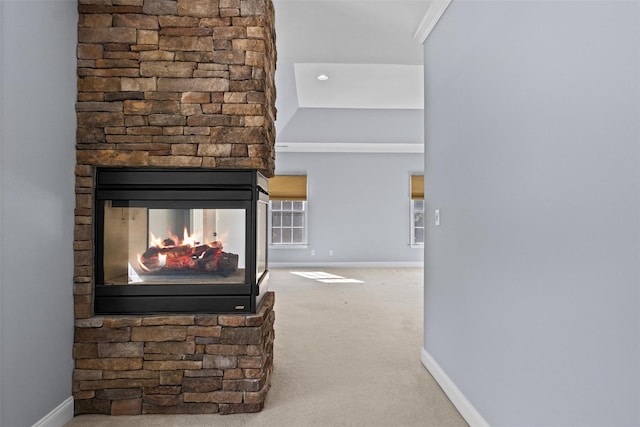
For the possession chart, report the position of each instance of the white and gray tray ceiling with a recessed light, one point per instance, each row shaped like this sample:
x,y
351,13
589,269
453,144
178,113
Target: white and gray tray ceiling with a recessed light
x,y
374,92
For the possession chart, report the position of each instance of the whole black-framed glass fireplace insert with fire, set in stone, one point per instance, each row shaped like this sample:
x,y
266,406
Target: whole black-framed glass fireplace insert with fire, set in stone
x,y
180,240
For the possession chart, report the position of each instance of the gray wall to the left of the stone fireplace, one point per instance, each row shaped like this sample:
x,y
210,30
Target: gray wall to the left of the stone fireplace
x,y
37,134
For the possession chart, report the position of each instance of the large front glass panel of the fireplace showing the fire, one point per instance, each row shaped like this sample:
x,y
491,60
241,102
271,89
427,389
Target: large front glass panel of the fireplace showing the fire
x,y
166,246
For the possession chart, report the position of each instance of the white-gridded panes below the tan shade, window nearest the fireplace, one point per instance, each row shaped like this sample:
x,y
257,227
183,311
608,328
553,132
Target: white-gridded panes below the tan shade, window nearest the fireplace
x,y
288,222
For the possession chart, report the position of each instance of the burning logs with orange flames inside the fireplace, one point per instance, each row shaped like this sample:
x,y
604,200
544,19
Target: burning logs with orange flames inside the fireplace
x,y
175,258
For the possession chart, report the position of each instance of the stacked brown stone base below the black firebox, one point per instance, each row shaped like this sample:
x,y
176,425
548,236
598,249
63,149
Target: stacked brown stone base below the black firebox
x,y
174,364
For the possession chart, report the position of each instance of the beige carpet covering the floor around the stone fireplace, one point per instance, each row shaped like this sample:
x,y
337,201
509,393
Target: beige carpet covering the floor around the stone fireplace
x,y
346,354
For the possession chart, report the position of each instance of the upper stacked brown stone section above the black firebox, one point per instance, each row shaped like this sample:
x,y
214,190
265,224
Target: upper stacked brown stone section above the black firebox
x,y
176,83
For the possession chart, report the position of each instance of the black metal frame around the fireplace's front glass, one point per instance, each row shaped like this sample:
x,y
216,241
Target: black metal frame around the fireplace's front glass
x,y
214,188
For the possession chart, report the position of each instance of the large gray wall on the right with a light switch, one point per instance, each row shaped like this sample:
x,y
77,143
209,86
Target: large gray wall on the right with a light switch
x,y
532,157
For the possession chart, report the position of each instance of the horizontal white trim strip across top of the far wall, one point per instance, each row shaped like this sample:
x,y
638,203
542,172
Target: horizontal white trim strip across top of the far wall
x,y
347,147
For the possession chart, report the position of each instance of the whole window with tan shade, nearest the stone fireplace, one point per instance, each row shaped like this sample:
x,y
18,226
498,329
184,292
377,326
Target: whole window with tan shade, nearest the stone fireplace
x,y
288,210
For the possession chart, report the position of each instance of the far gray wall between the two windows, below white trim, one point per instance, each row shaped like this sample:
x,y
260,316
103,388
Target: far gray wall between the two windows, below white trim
x,y
359,207
